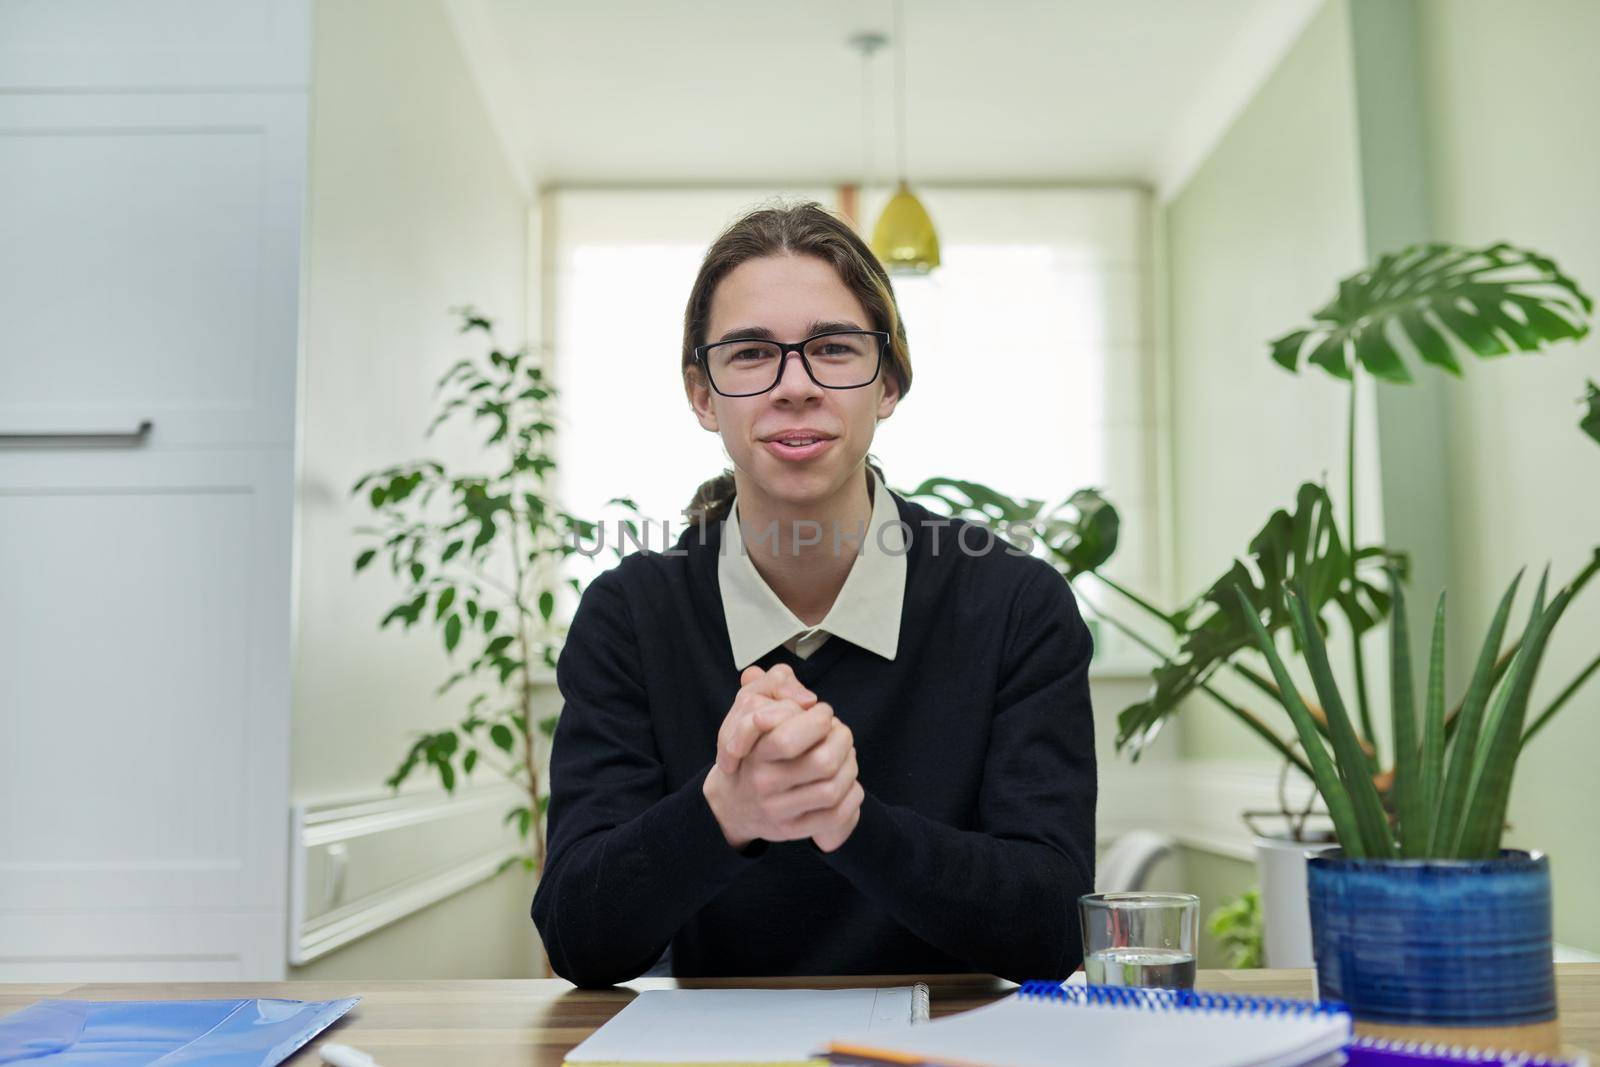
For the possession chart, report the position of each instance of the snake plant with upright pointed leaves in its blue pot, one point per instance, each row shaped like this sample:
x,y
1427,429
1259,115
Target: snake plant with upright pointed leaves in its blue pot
x,y
1422,922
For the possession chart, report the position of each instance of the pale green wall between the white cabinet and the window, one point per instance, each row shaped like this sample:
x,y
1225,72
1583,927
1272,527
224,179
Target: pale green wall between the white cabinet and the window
x,y
412,212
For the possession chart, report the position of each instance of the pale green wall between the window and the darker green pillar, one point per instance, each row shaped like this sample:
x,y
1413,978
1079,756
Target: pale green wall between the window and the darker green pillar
x,y
1255,242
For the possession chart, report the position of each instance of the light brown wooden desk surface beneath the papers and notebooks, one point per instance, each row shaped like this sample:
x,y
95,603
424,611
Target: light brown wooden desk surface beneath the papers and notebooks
x,y
535,1023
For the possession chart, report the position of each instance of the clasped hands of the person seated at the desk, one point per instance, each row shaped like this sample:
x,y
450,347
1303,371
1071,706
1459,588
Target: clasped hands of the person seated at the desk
x,y
786,767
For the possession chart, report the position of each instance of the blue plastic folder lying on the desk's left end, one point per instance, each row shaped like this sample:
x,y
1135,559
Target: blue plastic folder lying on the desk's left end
x,y
164,1033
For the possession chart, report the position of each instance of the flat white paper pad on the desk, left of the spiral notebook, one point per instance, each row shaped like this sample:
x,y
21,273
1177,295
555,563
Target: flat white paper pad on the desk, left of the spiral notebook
x,y
729,1028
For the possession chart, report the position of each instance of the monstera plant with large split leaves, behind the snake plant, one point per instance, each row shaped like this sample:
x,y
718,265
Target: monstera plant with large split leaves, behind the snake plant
x,y
1433,306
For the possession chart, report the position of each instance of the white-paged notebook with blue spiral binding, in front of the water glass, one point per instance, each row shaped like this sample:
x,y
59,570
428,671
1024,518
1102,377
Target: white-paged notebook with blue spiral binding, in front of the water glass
x,y
1047,1025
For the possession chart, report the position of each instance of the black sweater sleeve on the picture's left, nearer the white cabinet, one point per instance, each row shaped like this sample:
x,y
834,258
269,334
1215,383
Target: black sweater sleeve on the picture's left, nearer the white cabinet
x,y
630,861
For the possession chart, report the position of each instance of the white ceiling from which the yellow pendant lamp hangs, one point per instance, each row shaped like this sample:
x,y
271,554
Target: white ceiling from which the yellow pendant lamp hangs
x,y
607,92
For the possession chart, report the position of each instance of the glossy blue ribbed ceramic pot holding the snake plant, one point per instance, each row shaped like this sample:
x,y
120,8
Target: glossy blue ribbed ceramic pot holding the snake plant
x,y
1434,941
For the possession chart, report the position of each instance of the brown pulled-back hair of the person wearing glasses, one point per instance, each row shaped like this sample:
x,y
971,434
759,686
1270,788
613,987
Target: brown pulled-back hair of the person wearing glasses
x,y
799,230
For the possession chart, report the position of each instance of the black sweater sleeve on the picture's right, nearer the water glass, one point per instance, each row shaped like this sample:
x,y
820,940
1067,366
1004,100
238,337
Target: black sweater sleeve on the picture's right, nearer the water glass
x,y
1004,895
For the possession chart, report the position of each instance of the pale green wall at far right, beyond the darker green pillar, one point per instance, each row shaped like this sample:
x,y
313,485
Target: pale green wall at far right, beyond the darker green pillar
x,y
1508,90
